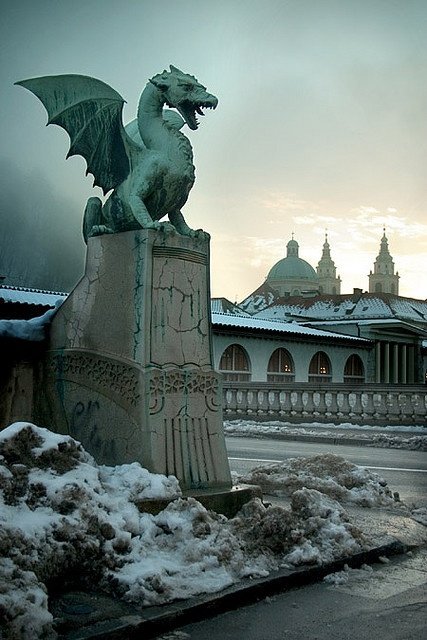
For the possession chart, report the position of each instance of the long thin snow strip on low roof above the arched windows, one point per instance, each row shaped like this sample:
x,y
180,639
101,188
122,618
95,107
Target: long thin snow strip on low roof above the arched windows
x,y
250,322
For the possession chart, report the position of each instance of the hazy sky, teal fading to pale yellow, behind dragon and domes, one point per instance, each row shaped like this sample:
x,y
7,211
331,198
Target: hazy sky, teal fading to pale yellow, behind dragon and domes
x,y
321,124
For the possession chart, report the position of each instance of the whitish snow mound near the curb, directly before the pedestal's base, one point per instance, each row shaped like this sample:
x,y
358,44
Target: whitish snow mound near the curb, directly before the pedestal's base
x,y
184,551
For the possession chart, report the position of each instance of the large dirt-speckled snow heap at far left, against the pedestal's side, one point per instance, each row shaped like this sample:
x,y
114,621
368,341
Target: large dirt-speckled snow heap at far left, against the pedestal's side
x,y
60,515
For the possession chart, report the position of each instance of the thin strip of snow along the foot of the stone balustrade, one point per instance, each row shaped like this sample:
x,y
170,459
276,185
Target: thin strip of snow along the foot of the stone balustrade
x,y
412,437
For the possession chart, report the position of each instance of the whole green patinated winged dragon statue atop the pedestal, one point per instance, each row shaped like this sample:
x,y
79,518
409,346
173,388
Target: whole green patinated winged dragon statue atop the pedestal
x,y
148,165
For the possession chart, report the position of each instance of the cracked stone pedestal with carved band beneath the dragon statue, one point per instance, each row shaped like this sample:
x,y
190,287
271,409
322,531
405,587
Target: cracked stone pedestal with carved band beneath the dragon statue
x,y
129,368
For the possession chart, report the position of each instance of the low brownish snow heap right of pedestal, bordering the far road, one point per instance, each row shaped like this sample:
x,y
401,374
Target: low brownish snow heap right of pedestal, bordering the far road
x,y
327,473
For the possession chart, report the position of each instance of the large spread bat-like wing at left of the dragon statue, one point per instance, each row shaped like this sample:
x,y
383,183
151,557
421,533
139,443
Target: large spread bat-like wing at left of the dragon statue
x,y
90,111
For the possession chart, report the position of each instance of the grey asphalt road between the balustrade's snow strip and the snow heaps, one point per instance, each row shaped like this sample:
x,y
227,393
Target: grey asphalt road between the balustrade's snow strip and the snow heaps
x,y
405,471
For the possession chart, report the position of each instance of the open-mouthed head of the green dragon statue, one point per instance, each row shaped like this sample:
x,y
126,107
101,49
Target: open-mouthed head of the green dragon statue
x,y
183,92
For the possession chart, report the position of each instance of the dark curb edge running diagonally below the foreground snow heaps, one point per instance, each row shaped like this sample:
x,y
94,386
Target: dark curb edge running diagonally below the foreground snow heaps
x,y
153,621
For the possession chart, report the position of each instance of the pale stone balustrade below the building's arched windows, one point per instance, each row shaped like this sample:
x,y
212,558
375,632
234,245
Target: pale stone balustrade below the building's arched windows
x,y
302,402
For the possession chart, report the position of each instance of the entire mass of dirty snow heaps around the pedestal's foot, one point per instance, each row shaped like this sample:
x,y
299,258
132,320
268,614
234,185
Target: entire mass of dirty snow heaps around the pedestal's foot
x,y
66,520
